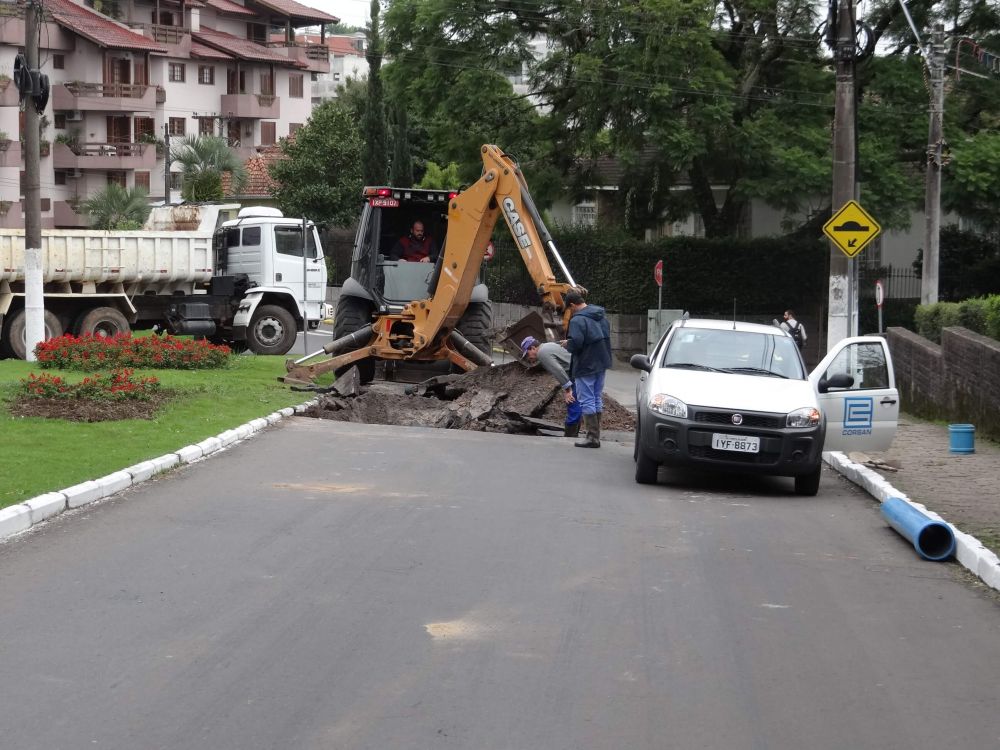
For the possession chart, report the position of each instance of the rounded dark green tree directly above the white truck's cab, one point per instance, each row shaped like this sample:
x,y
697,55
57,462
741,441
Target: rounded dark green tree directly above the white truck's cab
x,y
321,178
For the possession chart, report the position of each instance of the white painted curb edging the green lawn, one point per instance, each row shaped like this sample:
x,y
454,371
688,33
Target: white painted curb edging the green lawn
x,y
16,519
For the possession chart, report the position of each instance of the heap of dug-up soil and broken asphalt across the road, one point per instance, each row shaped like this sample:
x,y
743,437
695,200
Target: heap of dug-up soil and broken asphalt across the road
x,y
503,398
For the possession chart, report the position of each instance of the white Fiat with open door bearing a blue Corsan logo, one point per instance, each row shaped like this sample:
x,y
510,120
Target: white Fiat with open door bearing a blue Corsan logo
x,y
725,395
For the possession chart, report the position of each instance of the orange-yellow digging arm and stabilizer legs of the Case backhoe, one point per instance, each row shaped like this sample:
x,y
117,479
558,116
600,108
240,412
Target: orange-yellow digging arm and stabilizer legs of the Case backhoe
x,y
425,330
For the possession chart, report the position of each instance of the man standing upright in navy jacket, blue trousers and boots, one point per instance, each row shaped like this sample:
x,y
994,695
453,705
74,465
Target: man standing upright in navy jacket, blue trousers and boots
x,y
589,342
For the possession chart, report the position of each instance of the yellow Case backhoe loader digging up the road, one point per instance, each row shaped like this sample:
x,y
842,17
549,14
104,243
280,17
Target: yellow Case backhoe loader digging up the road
x,y
392,310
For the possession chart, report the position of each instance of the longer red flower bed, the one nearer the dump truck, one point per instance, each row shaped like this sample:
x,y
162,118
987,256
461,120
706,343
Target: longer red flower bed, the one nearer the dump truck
x,y
91,352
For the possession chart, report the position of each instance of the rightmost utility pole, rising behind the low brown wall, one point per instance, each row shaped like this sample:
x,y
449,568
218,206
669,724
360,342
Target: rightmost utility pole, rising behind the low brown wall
x,y
935,154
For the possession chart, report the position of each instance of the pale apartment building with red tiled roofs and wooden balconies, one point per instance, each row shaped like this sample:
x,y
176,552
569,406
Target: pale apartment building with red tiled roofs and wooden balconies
x,y
130,76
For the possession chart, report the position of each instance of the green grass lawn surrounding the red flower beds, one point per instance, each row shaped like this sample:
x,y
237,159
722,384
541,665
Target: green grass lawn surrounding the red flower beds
x,y
41,455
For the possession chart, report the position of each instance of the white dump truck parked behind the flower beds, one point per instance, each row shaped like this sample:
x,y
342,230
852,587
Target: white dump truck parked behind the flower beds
x,y
244,277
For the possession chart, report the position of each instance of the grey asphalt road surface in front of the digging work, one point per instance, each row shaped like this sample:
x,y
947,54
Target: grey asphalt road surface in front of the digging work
x,y
336,586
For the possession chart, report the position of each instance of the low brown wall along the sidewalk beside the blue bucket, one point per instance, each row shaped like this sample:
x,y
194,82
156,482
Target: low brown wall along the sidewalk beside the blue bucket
x,y
957,381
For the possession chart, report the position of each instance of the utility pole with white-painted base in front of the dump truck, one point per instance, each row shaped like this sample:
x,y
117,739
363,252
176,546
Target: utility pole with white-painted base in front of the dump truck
x,y
34,301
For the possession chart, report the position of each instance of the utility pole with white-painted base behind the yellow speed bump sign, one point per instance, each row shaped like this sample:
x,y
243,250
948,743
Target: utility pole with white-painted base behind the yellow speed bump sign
x,y
840,312
